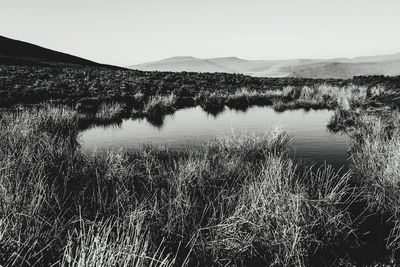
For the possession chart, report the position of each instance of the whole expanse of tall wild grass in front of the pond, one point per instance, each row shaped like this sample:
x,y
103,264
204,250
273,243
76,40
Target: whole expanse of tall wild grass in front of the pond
x,y
239,201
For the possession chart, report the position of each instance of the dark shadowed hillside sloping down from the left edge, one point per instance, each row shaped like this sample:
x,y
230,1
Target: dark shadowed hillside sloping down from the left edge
x,y
22,53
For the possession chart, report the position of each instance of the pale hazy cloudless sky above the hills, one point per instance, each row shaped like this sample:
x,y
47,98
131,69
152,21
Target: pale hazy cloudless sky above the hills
x,y
126,32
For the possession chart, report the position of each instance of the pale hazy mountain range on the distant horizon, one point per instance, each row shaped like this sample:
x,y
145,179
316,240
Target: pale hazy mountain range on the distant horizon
x,y
307,68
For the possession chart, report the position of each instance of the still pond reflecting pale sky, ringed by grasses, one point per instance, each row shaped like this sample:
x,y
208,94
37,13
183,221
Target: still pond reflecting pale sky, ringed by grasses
x,y
193,127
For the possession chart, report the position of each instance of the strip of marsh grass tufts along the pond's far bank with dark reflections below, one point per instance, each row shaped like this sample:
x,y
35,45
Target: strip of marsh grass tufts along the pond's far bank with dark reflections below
x,y
156,108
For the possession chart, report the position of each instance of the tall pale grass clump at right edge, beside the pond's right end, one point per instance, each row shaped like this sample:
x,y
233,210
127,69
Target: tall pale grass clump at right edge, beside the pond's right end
x,y
376,161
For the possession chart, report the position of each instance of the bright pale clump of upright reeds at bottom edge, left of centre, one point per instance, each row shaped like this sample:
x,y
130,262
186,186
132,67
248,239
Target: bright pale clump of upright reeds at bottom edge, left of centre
x,y
114,242
